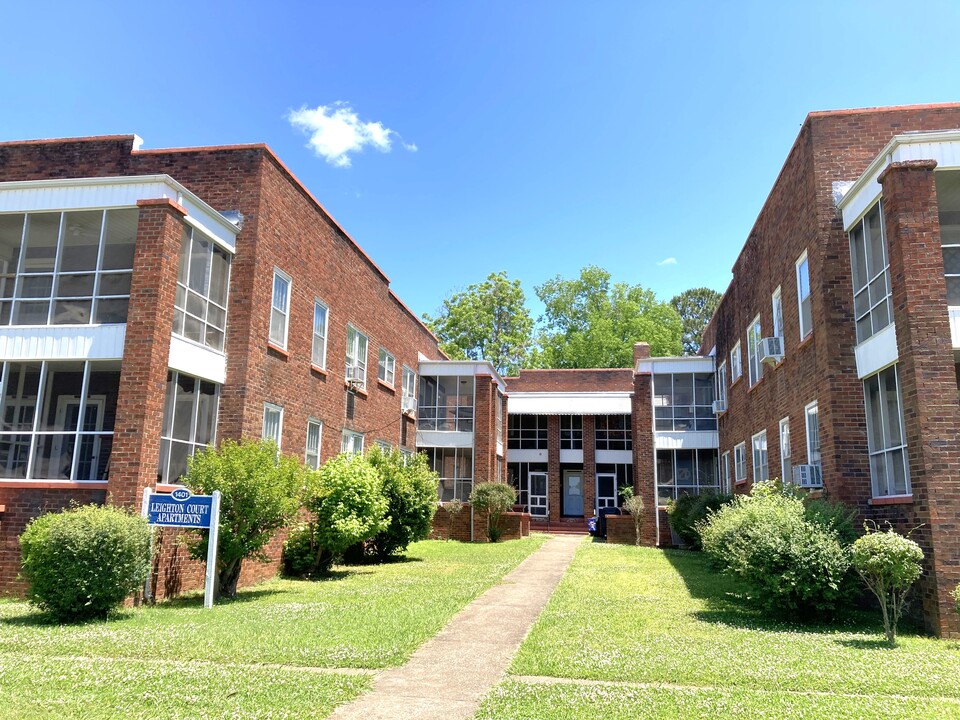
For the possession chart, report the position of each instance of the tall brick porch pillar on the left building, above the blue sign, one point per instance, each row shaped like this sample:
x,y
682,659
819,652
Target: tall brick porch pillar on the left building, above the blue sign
x,y
146,351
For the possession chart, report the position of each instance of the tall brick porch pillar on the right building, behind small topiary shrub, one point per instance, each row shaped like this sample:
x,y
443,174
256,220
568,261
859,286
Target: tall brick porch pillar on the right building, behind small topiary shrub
x,y
928,382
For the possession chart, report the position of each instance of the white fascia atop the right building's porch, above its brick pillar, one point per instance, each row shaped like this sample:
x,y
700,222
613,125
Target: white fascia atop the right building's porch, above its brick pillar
x,y
942,146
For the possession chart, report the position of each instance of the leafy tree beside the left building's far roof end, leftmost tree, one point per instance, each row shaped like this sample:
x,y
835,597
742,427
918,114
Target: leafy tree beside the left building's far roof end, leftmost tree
x,y
487,321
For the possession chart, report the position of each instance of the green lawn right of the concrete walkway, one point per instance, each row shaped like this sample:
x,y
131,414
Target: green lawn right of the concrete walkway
x,y
693,646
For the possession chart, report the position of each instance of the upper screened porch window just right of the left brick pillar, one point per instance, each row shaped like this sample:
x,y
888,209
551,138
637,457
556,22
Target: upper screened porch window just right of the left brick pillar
x,y
200,306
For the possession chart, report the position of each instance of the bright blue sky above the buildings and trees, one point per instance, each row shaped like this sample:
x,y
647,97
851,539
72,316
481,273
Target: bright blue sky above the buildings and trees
x,y
531,137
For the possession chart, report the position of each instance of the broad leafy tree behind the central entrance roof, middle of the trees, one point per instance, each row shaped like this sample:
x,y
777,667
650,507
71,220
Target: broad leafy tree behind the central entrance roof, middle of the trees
x,y
591,322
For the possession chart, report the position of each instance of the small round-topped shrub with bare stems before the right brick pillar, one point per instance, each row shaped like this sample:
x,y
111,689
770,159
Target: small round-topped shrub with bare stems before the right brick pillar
x,y
889,564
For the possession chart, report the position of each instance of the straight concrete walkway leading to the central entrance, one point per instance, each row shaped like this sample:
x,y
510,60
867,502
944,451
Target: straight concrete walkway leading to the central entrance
x,y
448,676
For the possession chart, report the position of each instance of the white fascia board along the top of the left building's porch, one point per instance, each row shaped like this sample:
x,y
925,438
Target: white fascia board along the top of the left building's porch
x,y
115,192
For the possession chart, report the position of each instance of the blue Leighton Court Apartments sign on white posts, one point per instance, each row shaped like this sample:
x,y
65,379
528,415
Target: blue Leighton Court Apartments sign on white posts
x,y
181,508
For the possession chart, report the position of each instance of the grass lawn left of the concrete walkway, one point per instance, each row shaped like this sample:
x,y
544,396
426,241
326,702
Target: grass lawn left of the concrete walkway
x,y
257,656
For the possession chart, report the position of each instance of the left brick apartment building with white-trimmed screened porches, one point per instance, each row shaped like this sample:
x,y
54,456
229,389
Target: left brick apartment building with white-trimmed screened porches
x,y
155,301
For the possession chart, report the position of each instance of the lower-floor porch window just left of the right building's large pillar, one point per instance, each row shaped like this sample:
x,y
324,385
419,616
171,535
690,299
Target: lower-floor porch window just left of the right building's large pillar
x,y
885,435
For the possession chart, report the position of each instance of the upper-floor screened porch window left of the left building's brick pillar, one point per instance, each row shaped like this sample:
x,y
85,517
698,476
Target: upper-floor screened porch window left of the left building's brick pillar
x,y
69,268
